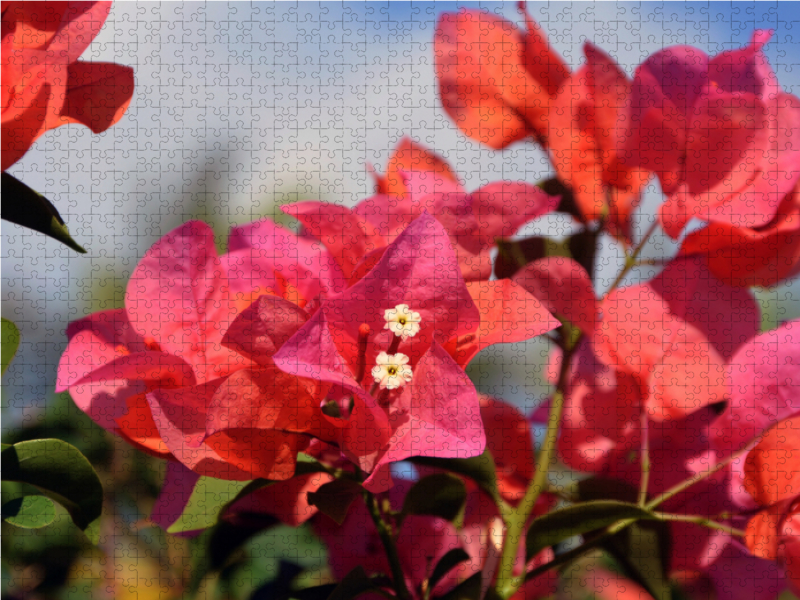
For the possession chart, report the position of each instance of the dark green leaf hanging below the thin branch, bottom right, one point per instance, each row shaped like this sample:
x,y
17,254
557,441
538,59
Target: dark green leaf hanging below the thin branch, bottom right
x,y
643,550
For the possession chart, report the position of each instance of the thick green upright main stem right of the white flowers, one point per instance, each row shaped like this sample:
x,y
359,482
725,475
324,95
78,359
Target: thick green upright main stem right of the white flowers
x,y
515,518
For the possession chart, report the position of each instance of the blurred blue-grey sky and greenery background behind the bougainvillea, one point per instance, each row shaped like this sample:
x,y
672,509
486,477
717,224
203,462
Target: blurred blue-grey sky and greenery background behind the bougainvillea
x,y
240,108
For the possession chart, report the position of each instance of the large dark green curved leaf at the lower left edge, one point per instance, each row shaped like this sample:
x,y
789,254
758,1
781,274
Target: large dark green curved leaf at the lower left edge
x,y
63,474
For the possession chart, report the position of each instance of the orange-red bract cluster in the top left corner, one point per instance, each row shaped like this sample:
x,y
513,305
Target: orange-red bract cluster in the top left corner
x,y
44,85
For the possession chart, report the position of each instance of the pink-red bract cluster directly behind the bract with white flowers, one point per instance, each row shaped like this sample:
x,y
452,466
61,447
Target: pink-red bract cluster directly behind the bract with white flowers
x,y
474,221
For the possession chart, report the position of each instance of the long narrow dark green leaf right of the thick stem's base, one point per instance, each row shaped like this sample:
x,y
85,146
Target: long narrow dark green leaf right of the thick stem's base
x,y
564,523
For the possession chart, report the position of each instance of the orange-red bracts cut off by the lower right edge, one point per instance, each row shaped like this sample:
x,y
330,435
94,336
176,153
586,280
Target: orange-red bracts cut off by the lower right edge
x,y
772,477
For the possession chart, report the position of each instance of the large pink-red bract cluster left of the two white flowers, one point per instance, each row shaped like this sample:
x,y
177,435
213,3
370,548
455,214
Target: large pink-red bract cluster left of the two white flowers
x,y
163,374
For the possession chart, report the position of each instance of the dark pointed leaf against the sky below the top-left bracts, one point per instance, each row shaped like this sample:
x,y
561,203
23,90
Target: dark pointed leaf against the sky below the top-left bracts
x,y
24,206
